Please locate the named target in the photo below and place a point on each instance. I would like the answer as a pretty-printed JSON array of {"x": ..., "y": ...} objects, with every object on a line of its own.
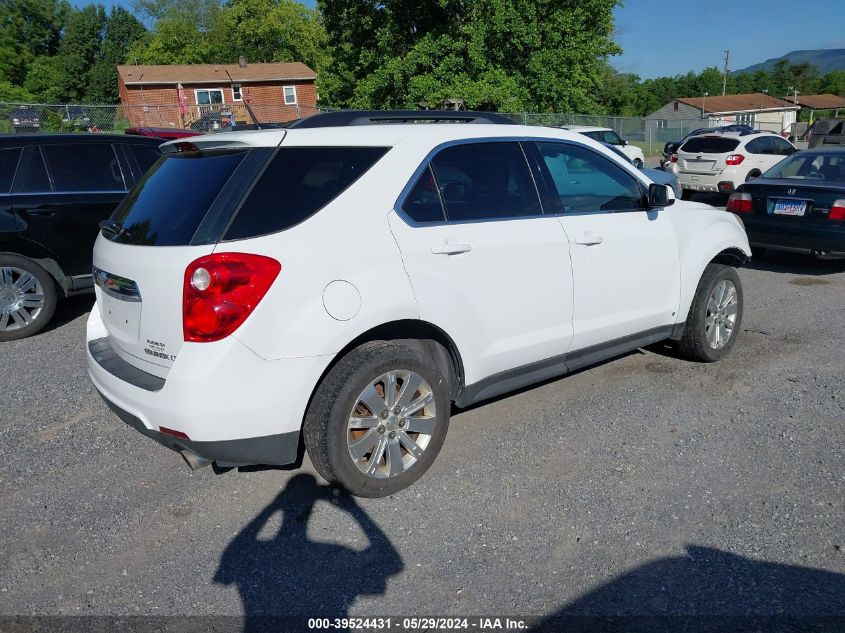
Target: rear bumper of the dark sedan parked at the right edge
[{"x": 796, "y": 236}]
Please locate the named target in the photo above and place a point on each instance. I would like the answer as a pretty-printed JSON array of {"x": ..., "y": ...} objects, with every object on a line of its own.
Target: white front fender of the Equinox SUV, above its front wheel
[{"x": 703, "y": 232}]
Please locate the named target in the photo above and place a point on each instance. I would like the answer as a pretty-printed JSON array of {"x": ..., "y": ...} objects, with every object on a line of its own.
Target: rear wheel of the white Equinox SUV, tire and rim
[{"x": 378, "y": 419}]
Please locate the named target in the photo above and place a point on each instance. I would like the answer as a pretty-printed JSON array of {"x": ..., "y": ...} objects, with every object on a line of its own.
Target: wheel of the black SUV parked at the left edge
[{"x": 28, "y": 297}]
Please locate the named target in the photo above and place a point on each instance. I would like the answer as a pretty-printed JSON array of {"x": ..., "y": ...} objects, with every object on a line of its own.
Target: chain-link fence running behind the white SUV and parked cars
[{"x": 648, "y": 134}]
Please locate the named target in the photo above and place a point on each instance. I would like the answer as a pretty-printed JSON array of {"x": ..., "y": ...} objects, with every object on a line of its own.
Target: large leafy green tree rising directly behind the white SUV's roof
[{"x": 538, "y": 55}]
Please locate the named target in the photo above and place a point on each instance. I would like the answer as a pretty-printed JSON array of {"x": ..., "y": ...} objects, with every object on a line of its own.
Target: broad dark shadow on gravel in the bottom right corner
[{"x": 708, "y": 590}]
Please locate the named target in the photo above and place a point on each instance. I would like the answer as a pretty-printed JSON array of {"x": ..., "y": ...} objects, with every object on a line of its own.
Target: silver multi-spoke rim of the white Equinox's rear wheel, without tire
[{"x": 391, "y": 424}]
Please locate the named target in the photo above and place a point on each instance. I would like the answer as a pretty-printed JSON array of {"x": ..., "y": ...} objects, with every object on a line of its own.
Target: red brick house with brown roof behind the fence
[{"x": 150, "y": 95}]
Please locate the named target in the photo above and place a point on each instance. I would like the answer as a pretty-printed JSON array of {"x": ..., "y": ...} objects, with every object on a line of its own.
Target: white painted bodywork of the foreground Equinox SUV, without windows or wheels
[{"x": 508, "y": 302}]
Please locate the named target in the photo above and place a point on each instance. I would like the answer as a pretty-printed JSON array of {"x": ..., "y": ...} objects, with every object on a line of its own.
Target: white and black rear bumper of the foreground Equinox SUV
[{"x": 233, "y": 406}]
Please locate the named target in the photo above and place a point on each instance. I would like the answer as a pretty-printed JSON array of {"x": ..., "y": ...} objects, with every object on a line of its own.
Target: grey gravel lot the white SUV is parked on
[{"x": 645, "y": 485}]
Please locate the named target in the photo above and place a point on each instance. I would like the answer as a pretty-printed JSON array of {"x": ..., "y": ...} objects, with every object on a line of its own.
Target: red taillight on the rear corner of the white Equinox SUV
[{"x": 220, "y": 292}]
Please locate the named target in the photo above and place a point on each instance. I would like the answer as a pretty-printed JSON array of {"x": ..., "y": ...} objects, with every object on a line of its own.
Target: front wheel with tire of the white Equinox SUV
[{"x": 715, "y": 315}]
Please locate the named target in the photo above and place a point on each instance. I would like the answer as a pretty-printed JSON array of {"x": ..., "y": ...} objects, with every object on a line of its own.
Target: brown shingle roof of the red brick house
[{"x": 214, "y": 73}]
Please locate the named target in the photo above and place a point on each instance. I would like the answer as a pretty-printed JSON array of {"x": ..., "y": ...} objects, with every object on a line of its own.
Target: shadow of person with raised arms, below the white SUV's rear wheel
[{"x": 288, "y": 574}]
